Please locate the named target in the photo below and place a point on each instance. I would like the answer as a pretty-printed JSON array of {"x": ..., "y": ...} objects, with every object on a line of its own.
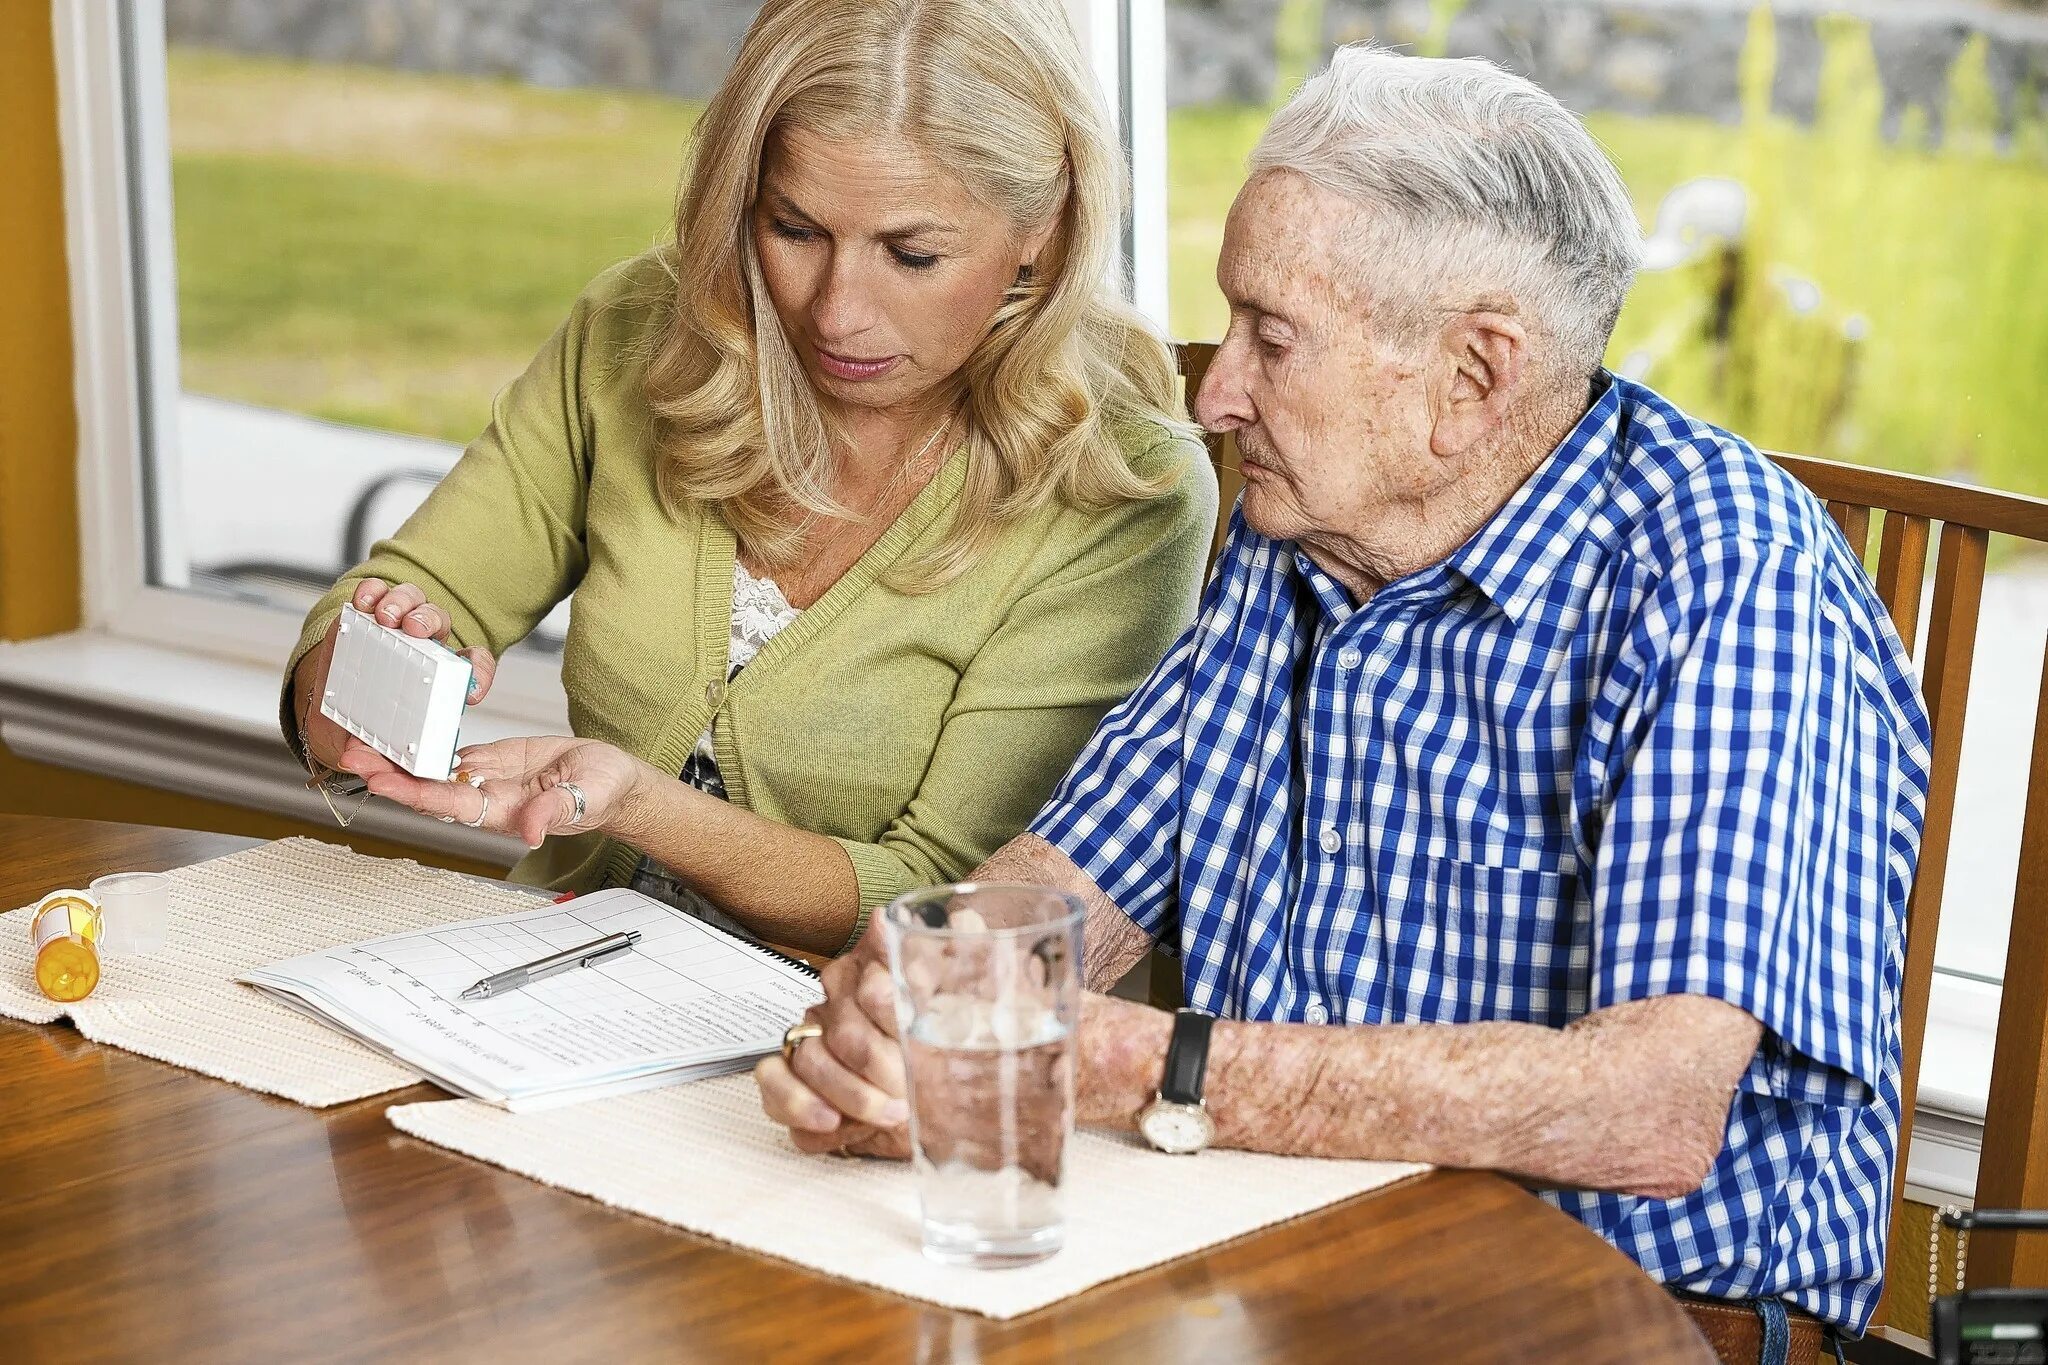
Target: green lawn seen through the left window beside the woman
[{"x": 390, "y": 249}]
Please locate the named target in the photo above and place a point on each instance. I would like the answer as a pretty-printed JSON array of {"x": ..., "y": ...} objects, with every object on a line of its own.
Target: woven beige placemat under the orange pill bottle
[{"x": 247, "y": 910}]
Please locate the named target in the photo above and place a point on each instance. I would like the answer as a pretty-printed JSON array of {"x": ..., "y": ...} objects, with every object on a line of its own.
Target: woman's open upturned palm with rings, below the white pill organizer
[{"x": 525, "y": 783}]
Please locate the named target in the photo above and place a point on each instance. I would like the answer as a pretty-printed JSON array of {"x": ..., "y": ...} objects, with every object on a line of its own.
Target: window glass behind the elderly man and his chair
[{"x": 1844, "y": 222}]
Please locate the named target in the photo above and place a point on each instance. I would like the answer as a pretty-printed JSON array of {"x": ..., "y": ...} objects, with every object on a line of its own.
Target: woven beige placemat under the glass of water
[{"x": 708, "y": 1159}]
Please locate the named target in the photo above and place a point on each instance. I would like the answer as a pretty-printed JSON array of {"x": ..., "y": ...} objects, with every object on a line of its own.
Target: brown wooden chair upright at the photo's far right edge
[{"x": 2012, "y": 1174}]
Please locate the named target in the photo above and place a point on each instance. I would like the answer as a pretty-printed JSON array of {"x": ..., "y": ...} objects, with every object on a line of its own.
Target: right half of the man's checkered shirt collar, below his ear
[{"x": 1519, "y": 552}]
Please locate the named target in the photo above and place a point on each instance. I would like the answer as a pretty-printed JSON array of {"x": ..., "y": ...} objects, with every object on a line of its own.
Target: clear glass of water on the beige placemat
[{"x": 988, "y": 994}]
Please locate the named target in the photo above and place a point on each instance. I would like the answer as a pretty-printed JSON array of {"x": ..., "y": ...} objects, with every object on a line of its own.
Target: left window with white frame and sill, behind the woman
[{"x": 308, "y": 245}]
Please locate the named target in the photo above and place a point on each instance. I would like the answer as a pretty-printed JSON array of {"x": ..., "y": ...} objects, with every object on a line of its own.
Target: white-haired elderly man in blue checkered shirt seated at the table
[{"x": 1539, "y": 748}]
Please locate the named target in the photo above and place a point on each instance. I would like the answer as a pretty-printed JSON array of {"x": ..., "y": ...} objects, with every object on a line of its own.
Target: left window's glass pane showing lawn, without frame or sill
[{"x": 376, "y": 220}]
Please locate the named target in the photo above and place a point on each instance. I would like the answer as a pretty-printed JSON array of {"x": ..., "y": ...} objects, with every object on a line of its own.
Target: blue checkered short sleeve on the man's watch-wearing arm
[{"x": 1750, "y": 803}]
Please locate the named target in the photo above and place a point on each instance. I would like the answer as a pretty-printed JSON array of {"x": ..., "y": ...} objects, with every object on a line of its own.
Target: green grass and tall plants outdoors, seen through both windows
[{"x": 390, "y": 249}]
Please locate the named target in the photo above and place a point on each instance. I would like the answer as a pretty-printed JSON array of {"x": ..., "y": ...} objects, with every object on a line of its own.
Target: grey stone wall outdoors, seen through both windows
[{"x": 1631, "y": 56}]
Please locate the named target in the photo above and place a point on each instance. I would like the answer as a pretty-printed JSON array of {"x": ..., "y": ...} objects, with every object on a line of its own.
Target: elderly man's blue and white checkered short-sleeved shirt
[{"x": 1646, "y": 734}]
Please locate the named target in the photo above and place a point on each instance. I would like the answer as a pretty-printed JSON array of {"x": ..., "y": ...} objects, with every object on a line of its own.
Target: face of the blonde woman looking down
[{"x": 882, "y": 267}]
